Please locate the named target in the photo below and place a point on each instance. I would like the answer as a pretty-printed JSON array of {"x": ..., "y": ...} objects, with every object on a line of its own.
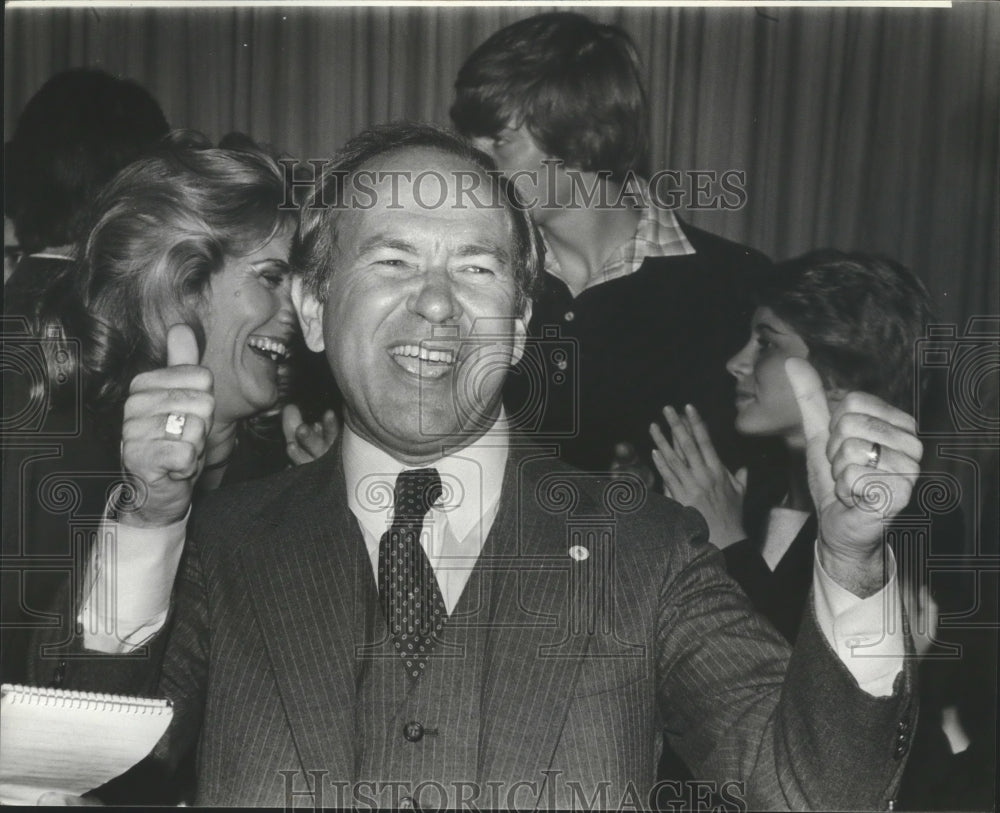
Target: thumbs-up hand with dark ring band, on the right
[{"x": 862, "y": 463}]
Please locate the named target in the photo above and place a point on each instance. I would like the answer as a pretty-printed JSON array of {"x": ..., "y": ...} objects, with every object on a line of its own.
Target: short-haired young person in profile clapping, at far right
[{"x": 857, "y": 320}]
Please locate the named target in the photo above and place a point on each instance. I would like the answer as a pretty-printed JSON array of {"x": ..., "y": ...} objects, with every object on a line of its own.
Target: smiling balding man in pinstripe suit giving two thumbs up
[{"x": 433, "y": 614}]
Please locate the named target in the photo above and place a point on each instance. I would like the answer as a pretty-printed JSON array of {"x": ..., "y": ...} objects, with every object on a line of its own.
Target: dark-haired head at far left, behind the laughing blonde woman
[{"x": 73, "y": 136}]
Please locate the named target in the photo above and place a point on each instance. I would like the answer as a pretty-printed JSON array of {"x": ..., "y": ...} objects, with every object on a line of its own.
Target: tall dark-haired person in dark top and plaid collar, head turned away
[{"x": 632, "y": 301}]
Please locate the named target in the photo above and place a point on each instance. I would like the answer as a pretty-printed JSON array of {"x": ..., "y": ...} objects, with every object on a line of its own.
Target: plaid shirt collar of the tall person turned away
[{"x": 658, "y": 234}]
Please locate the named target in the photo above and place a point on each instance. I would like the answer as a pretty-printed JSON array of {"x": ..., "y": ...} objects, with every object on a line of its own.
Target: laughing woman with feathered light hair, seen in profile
[{"x": 186, "y": 262}]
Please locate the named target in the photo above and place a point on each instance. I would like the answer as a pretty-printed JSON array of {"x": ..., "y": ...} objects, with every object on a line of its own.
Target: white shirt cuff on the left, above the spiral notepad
[{"x": 128, "y": 582}]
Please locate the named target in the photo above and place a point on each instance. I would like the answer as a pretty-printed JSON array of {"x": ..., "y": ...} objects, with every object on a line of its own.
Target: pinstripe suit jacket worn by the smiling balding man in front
[{"x": 589, "y": 655}]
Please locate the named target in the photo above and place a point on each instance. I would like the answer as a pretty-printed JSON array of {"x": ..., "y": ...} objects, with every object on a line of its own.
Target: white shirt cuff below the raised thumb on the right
[{"x": 866, "y": 633}]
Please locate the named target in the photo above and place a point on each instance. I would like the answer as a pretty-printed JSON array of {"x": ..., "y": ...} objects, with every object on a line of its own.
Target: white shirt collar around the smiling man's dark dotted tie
[{"x": 471, "y": 478}]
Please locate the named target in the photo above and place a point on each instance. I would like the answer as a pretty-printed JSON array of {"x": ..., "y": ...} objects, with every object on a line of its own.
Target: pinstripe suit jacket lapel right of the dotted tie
[{"x": 534, "y": 651}]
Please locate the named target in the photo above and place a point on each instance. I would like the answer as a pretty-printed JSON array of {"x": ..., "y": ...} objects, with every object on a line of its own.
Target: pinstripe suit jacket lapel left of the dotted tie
[{"x": 305, "y": 574}]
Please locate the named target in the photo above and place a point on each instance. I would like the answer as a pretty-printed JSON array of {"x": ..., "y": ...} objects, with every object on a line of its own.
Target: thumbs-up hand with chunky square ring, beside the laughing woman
[{"x": 168, "y": 416}]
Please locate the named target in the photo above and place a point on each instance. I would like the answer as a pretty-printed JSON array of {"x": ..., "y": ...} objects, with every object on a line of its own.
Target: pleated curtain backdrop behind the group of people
[{"x": 874, "y": 129}]
